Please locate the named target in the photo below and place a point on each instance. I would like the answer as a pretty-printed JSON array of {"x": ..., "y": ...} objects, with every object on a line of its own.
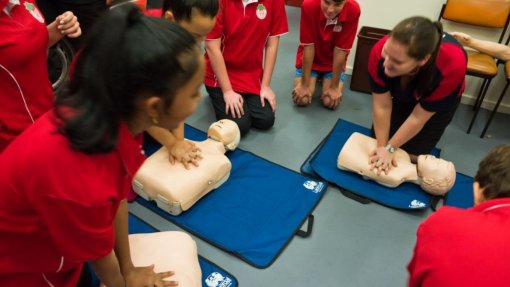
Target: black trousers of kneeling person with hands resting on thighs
[{"x": 254, "y": 114}]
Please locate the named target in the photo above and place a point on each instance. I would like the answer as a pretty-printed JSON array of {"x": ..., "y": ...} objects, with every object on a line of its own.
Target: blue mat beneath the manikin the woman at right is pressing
[{"x": 322, "y": 162}]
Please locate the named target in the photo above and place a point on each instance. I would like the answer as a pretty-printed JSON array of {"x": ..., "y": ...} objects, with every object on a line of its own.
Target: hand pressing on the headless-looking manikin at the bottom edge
[{"x": 146, "y": 277}]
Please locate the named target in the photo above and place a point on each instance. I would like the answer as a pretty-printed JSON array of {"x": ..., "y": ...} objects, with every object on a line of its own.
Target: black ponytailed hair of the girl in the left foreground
[{"x": 125, "y": 58}]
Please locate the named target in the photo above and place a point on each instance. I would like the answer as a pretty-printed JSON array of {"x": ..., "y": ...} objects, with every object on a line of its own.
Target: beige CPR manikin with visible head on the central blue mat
[{"x": 176, "y": 189}]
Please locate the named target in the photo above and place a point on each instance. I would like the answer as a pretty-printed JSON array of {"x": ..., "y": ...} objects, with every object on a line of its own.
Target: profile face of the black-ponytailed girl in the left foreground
[{"x": 185, "y": 102}]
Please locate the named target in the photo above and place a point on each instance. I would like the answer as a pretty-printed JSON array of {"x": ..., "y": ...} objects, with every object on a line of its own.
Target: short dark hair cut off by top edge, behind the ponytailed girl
[{"x": 182, "y": 9}]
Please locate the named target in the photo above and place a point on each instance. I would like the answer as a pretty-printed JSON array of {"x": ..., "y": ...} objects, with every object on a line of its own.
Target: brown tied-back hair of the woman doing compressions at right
[{"x": 422, "y": 37}]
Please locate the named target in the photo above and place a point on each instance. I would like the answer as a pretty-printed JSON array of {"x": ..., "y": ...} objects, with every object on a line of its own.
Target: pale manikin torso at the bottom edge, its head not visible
[{"x": 171, "y": 250}]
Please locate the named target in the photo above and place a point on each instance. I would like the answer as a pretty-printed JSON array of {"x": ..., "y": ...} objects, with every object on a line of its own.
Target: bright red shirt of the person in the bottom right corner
[{"x": 457, "y": 247}]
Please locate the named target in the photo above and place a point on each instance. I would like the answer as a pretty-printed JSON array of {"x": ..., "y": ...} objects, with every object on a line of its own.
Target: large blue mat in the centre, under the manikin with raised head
[{"x": 253, "y": 215}]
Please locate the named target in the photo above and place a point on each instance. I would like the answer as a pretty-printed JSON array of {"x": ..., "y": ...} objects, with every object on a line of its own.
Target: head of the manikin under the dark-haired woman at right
[{"x": 437, "y": 175}]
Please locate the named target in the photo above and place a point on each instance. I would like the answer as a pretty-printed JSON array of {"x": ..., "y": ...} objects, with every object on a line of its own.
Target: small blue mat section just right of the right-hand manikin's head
[{"x": 461, "y": 195}]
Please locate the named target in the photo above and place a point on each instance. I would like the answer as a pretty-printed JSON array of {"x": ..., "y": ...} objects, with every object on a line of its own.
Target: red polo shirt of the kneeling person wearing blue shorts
[{"x": 326, "y": 35}]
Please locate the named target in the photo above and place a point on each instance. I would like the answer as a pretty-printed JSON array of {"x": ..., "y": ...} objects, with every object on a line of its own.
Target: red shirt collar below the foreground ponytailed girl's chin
[{"x": 130, "y": 150}]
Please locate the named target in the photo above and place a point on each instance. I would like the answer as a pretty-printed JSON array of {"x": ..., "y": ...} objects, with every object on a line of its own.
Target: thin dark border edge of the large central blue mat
[{"x": 151, "y": 206}]
